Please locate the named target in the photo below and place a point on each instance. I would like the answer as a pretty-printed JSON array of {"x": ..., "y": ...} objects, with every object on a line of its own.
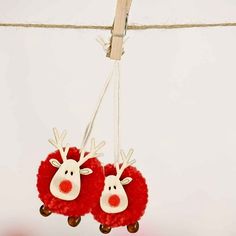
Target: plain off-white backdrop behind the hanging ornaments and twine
[{"x": 178, "y": 110}]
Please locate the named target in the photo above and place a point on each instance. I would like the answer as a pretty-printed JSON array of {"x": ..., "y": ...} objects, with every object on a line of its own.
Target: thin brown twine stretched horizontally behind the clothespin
[{"x": 130, "y": 27}]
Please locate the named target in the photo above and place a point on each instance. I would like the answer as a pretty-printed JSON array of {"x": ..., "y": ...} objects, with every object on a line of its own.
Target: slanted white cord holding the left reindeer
[{"x": 91, "y": 123}]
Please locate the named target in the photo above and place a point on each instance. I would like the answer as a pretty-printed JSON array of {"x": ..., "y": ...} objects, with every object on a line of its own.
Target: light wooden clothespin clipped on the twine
[{"x": 119, "y": 29}]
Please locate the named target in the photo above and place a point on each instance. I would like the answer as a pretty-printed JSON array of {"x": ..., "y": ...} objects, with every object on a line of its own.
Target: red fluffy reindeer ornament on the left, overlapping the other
[{"x": 70, "y": 181}]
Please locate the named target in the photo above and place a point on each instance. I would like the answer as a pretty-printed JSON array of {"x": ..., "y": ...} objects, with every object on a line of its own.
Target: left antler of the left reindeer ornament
[{"x": 58, "y": 143}]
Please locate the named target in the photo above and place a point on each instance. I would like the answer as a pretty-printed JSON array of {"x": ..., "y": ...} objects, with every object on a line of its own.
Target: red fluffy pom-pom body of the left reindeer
[{"x": 91, "y": 186}]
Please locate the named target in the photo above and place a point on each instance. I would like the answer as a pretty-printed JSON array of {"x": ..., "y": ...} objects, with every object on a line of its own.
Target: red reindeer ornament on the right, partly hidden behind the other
[{"x": 124, "y": 196}]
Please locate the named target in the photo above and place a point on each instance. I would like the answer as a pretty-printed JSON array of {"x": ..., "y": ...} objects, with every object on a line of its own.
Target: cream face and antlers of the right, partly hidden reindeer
[{"x": 114, "y": 198}]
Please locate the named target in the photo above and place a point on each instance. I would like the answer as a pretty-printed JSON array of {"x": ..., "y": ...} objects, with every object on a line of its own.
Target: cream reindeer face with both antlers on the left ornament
[{"x": 65, "y": 184}]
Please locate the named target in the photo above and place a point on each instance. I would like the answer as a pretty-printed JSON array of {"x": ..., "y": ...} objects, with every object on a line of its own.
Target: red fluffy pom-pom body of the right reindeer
[{"x": 137, "y": 193}]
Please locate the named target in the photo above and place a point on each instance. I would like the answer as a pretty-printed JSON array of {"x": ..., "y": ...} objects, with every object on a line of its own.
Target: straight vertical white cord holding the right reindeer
[{"x": 117, "y": 114}]
